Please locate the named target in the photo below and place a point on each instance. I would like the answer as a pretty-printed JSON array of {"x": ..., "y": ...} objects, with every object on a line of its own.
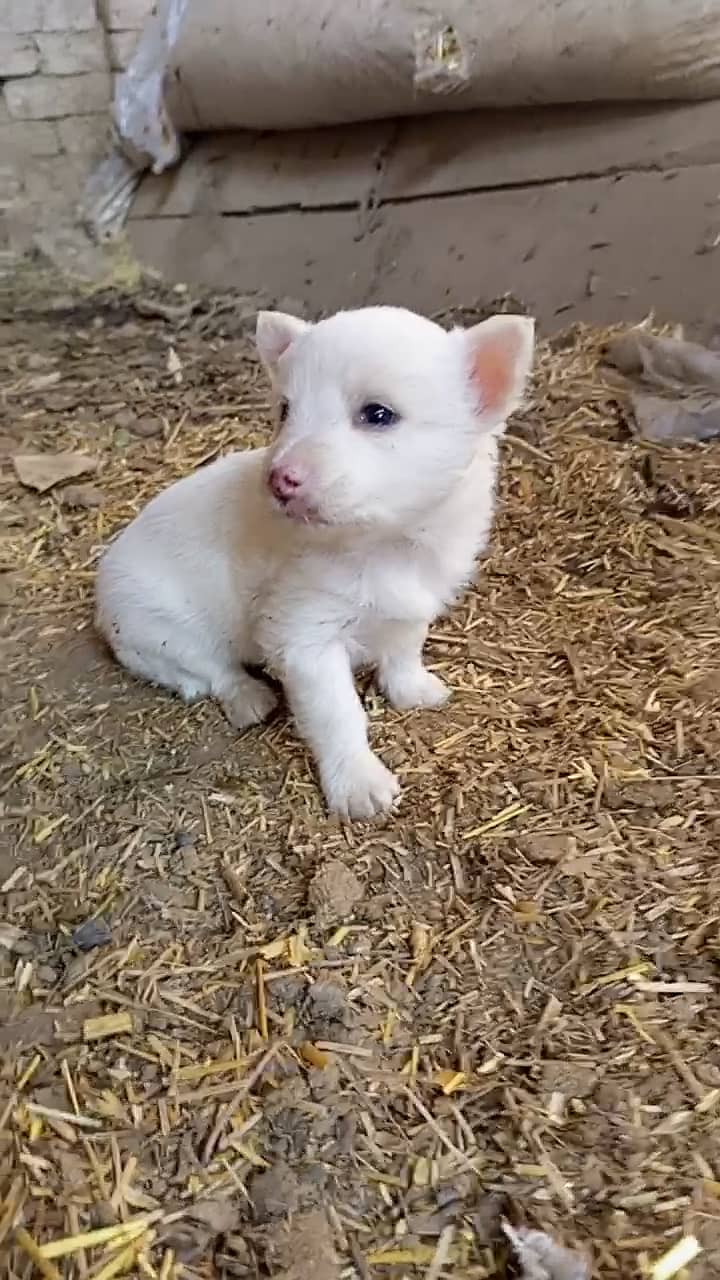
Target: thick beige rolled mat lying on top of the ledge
[{"x": 284, "y": 65}]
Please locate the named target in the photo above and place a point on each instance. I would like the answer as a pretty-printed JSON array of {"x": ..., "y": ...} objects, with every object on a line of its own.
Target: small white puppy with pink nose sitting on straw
[{"x": 334, "y": 548}]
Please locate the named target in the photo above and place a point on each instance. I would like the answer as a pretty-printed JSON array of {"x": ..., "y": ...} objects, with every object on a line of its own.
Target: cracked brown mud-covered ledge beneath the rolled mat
[{"x": 598, "y": 214}]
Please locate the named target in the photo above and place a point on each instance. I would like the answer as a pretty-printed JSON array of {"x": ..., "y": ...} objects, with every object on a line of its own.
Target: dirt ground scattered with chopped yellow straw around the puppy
[{"x": 350, "y": 1052}]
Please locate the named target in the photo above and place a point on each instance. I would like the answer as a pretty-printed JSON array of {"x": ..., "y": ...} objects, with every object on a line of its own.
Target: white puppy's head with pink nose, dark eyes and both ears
[{"x": 381, "y": 410}]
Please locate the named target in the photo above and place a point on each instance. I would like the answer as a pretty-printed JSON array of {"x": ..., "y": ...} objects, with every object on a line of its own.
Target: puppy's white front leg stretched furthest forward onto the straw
[{"x": 330, "y": 717}]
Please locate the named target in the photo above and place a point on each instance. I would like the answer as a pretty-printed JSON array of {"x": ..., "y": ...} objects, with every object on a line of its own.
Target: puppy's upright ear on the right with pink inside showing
[{"x": 499, "y": 360}]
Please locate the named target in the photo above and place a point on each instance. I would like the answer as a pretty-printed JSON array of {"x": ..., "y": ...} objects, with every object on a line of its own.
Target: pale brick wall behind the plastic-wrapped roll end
[{"x": 58, "y": 61}]
